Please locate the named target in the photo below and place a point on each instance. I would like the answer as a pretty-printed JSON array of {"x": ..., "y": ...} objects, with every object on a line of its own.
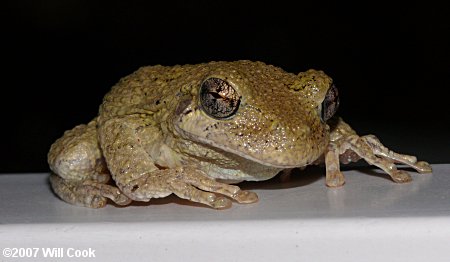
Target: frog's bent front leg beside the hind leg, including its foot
[{"x": 141, "y": 179}]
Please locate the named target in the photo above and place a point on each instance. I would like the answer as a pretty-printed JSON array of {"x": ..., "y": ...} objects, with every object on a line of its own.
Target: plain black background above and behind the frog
[{"x": 390, "y": 61}]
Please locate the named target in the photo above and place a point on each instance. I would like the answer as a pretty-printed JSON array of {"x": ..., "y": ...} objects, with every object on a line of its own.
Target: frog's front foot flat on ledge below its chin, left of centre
[{"x": 187, "y": 183}]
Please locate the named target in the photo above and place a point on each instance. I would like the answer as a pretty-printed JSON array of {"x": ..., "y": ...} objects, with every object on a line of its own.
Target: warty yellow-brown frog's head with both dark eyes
[{"x": 259, "y": 112}]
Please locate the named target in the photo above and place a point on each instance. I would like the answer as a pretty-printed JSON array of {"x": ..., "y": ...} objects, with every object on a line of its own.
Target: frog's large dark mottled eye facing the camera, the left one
[{"x": 218, "y": 98}]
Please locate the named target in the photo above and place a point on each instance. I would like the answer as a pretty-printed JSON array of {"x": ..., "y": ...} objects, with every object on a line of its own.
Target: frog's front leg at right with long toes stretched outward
[{"x": 346, "y": 146}]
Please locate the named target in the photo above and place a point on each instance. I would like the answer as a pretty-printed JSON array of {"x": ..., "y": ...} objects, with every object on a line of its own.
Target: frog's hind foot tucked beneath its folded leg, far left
[{"x": 88, "y": 193}]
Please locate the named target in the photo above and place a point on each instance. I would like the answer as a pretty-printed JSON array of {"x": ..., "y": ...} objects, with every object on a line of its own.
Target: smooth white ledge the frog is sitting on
[{"x": 369, "y": 219}]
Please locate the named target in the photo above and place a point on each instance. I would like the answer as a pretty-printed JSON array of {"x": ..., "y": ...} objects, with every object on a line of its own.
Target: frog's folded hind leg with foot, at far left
[{"x": 80, "y": 172}]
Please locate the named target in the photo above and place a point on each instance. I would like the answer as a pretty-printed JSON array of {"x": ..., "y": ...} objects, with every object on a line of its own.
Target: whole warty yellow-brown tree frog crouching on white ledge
[{"x": 197, "y": 130}]
